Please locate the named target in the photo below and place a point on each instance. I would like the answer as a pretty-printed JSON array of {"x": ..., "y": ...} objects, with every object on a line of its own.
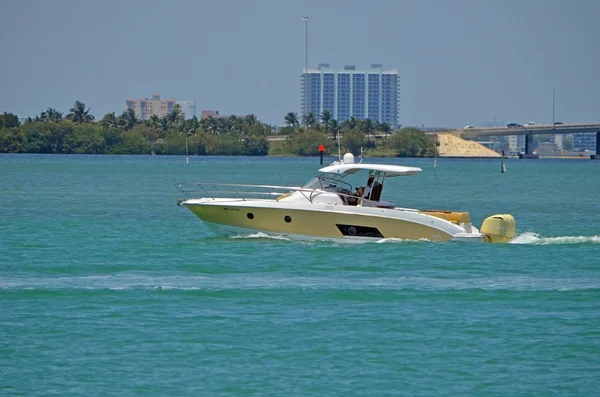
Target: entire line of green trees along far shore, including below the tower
[{"x": 79, "y": 132}]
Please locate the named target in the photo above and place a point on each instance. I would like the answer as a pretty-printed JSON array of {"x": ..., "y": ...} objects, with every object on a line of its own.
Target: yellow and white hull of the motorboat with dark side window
[{"x": 323, "y": 222}]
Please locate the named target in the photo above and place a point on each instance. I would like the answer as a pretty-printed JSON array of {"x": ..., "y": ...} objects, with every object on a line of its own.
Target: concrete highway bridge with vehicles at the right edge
[{"x": 535, "y": 129}]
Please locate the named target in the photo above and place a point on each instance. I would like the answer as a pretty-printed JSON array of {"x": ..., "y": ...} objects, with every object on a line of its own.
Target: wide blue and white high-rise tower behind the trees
[{"x": 370, "y": 93}]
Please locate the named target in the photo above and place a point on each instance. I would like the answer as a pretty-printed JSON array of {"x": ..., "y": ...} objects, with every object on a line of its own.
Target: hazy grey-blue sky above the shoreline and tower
[{"x": 461, "y": 62}]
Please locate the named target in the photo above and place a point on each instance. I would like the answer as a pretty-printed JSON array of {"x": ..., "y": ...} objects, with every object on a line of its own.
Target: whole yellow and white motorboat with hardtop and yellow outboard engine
[{"x": 330, "y": 208}]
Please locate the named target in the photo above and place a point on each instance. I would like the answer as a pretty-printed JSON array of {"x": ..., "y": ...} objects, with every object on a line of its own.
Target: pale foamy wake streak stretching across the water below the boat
[{"x": 335, "y": 282}]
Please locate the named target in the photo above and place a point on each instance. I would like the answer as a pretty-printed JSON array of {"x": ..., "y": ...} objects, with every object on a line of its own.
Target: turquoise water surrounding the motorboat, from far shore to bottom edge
[{"x": 108, "y": 288}]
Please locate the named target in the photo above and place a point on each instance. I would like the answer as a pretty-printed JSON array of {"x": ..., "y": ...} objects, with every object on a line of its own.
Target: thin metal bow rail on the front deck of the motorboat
[{"x": 214, "y": 191}]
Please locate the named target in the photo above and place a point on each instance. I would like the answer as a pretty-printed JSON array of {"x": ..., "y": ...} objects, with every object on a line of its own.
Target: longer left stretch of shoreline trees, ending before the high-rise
[{"x": 79, "y": 133}]
